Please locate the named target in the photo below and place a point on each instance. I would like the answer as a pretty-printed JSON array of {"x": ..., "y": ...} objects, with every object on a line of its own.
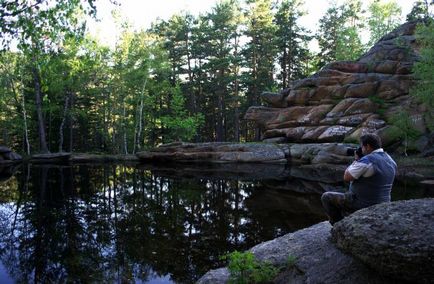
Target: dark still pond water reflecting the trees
[{"x": 118, "y": 223}]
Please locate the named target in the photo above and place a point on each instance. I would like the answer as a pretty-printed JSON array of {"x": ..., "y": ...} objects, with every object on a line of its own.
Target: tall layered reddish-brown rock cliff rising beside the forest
[{"x": 346, "y": 99}]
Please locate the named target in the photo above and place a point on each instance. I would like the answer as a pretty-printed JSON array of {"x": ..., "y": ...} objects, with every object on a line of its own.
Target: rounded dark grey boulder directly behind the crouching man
[{"x": 395, "y": 239}]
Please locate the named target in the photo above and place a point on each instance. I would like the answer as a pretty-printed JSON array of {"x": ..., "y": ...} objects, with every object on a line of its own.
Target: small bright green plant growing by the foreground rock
[{"x": 244, "y": 268}]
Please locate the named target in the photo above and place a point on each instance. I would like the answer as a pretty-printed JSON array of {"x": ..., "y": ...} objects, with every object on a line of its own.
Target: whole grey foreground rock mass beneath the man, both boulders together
[{"x": 384, "y": 243}]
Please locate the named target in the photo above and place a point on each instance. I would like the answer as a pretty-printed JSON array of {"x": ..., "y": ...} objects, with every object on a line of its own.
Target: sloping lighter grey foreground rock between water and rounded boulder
[{"x": 317, "y": 260}]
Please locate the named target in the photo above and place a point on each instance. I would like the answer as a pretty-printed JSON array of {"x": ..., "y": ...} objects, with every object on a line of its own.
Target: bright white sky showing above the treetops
[{"x": 141, "y": 13}]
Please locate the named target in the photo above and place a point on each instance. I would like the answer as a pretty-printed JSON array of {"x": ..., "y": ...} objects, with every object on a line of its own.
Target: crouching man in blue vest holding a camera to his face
[{"x": 371, "y": 178}]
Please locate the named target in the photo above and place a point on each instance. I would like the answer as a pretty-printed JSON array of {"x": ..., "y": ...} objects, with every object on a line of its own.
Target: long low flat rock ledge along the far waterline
[{"x": 226, "y": 152}]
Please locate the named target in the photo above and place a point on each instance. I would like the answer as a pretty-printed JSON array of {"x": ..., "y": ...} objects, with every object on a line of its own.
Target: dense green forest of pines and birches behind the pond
[{"x": 189, "y": 78}]
